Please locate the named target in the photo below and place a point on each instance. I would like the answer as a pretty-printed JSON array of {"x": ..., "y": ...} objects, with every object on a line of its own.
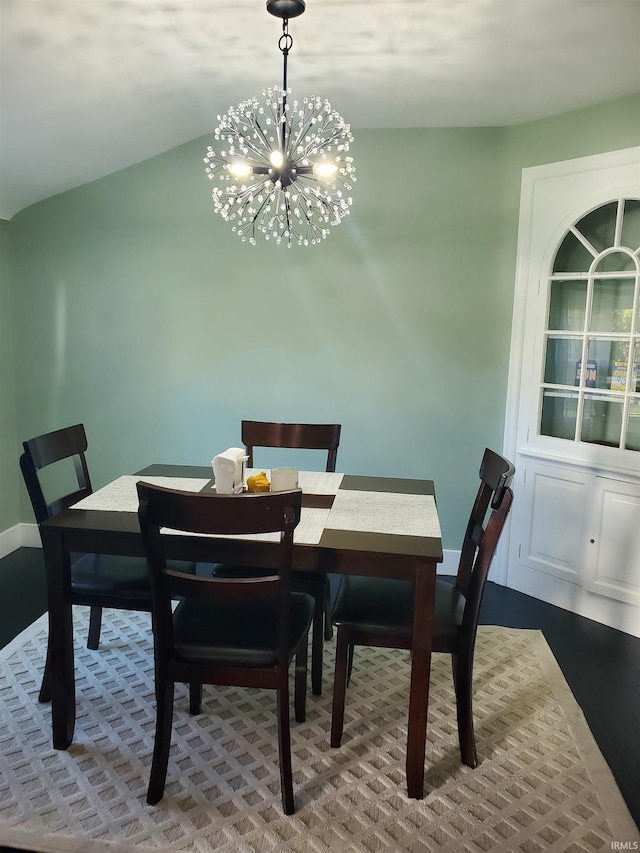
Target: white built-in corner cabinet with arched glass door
[{"x": 573, "y": 421}]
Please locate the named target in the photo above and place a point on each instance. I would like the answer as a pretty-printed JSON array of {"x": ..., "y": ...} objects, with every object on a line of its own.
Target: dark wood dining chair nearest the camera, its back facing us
[{"x": 242, "y": 631}]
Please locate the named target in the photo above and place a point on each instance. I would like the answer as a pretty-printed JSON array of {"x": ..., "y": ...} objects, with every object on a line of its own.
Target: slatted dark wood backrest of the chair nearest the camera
[{"x": 221, "y": 515}]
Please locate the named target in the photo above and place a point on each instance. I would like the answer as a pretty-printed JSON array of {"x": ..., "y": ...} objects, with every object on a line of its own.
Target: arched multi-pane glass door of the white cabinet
[{"x": 591, "y": 383}]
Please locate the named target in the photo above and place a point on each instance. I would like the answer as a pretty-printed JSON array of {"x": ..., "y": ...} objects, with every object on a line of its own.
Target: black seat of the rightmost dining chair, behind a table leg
[{"x": 384, "y": 605}]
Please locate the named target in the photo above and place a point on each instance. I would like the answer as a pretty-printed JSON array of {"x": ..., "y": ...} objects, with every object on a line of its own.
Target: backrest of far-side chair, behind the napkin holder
[{"x": 301, "y": 436}]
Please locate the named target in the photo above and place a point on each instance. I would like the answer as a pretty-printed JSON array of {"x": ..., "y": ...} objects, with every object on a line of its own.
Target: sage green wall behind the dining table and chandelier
[{"x": 138, "y": 312}]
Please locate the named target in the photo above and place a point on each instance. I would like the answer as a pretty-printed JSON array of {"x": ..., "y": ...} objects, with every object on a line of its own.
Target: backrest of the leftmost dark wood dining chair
[{"x": 45, "y": 450}]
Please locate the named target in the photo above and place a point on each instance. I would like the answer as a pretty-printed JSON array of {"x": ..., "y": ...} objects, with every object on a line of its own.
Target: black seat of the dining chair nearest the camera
[{"x": 236, "y": 634}]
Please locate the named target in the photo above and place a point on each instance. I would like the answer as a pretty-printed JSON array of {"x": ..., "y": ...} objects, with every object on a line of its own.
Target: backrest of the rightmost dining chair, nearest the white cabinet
[{"x": 495, "y": 475}]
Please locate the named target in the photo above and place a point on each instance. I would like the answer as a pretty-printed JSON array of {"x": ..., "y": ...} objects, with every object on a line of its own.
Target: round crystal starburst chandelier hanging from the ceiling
[{"x": 281, "y": 169}]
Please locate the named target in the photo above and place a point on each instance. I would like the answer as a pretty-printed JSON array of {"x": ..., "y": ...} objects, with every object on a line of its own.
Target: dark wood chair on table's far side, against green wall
[{"x": 303, "y": 437}]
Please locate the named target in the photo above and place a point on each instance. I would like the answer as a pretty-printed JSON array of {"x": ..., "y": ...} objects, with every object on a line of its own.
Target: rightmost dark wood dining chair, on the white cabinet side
[{"x": 379, "y": 611}]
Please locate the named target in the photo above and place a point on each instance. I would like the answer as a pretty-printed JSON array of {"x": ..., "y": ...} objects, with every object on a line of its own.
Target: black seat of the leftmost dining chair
[{"x": 111, "y": 576}]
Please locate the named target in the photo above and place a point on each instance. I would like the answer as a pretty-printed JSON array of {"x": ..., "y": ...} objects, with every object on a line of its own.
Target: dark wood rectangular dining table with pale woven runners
[{"x": 373, "y": 552}]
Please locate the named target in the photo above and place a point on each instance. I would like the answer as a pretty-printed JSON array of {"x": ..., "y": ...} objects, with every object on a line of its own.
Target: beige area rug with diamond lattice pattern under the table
[{"x": 541, "y": 784}]
